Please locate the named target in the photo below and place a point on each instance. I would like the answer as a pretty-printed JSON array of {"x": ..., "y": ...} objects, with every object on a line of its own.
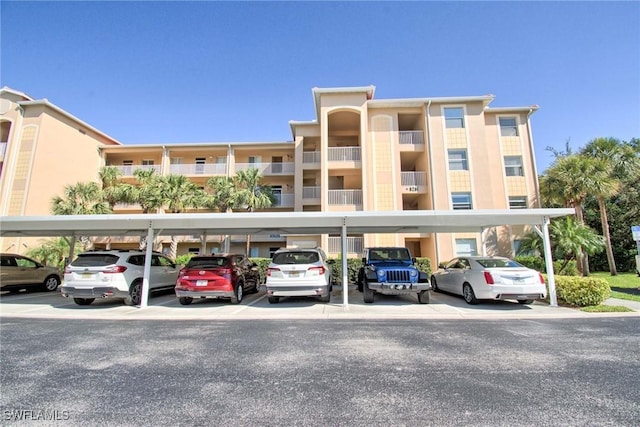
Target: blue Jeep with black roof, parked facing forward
[{"x": 391, "y": 271}]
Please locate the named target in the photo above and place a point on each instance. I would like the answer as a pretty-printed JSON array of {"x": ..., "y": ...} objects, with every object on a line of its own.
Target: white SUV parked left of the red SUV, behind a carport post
[{"x": 115, "y": 274}]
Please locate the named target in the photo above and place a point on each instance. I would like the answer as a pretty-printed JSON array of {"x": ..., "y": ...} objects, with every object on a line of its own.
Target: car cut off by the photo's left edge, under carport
[{"x": 19, "y": 272}]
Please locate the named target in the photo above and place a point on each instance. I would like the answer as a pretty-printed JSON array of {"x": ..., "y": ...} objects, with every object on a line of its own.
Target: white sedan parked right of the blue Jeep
[{"x": 494, "y": 278}]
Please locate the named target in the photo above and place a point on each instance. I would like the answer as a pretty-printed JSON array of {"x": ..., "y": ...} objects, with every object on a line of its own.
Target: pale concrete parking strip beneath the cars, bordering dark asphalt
[{"x": 166, "y": 306}]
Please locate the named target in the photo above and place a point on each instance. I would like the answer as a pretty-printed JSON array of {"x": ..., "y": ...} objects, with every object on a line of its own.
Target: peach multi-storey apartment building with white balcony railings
[{"x": 357, "y": 154}]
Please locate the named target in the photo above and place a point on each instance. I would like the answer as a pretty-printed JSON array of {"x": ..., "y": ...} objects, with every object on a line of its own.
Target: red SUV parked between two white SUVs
[{"x": 217, "y": 276}]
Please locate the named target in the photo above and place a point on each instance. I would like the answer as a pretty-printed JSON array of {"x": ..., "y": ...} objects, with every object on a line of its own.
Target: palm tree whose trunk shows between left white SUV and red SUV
[{"x": 178, "y": 193}]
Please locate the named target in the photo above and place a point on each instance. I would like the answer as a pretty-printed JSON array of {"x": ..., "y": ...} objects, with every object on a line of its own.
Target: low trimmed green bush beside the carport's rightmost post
[{"x": 580, "y": 291}]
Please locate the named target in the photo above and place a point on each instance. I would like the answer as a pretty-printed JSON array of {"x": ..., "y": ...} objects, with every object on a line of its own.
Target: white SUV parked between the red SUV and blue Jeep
[{"x": 299, "y": 272}]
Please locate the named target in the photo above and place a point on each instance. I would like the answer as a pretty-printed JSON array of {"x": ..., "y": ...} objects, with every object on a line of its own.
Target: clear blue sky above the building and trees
[{"x": 205, "y": 71}]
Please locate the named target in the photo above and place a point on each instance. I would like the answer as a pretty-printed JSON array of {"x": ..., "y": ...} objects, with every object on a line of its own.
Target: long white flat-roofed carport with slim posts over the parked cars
[{"x": 360, "y": 222}]
